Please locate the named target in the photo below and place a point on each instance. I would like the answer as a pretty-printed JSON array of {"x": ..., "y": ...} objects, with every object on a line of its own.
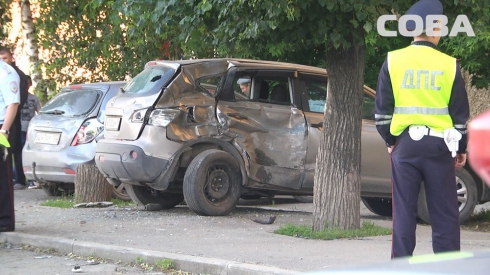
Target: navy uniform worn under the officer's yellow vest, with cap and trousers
[{"x": 427, "y": 160}]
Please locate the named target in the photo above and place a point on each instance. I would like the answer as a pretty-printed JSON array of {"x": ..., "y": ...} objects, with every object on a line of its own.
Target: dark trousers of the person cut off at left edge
[{"x": 7, "y": 217}]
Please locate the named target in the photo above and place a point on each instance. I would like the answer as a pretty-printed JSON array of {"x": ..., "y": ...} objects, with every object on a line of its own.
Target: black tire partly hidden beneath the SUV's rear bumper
[{"x": 142, "y": 195}]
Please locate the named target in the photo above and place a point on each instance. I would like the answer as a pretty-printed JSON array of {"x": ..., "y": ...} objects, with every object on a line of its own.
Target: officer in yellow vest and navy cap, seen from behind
[{"x": 421, "y": 113}]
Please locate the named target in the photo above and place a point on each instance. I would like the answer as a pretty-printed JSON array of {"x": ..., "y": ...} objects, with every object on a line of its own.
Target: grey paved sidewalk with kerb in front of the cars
[{"x": 206, "y": 245}]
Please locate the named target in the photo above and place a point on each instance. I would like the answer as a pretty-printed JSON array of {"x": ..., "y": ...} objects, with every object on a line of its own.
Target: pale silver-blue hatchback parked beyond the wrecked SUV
[{"x": 64, "y": 134}]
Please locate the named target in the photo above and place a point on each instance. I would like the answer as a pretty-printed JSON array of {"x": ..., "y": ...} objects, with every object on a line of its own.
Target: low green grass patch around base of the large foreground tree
[{"x": 368, "y": 229}]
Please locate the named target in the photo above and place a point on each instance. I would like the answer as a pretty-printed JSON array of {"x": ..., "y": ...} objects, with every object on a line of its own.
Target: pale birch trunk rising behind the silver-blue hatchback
[{"x": 30, "y": 43}]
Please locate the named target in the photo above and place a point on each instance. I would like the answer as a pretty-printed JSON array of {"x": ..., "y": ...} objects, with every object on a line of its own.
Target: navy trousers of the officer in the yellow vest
[{"x": 430, "y": 161}]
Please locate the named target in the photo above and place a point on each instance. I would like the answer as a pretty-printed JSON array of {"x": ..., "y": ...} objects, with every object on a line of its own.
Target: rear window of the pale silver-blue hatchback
[{"x": 72, "y": 102}]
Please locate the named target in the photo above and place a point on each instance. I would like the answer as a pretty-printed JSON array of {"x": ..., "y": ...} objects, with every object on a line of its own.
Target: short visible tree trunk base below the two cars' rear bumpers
[{"x": 90, "y": 185}]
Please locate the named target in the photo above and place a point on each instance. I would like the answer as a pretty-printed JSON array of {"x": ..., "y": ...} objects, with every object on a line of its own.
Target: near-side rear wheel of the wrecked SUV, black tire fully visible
[{"x": 212, "y": 183}]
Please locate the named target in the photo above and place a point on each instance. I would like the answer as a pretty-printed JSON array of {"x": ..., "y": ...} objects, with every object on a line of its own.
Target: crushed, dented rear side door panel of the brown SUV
[{"x": 274, "y": 138}]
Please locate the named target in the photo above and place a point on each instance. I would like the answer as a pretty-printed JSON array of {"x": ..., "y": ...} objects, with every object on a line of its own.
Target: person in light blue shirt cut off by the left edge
[{"x": 9, "y": 102}]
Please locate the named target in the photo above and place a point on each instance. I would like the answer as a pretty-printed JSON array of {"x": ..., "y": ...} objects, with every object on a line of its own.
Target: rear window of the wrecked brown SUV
[{"x": 149, "y": 80}]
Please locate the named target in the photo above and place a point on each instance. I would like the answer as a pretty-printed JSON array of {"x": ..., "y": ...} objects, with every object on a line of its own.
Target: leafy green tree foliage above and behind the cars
[{"x": 112, "y": 40}]
